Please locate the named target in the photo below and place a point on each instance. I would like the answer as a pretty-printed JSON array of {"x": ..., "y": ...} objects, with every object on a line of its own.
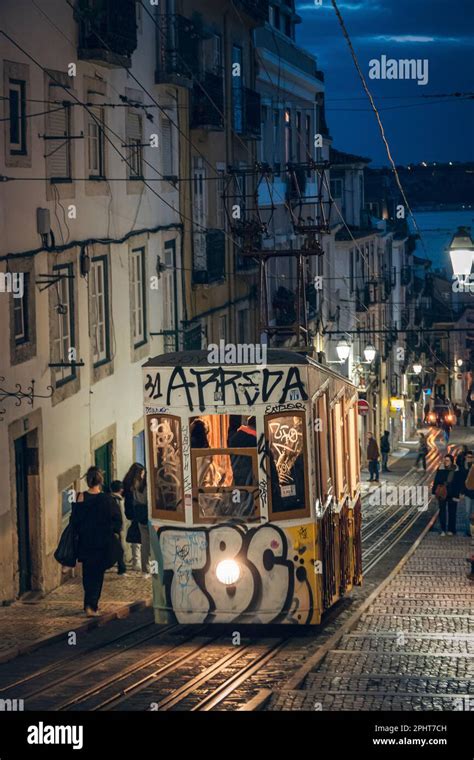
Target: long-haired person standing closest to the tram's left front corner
[{"x": 136, "y": 510}]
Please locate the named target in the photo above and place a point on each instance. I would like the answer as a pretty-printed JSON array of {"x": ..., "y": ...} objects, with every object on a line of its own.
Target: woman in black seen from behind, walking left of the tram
[{"x": 94, "y": 520}]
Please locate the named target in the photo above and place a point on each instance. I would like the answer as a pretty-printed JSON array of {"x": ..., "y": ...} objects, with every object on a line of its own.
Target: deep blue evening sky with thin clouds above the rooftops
[{"x": 424, "y": 129}]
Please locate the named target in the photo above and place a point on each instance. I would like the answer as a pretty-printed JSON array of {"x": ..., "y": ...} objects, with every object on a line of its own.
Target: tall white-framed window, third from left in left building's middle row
[{"x": 99, "y": 309}]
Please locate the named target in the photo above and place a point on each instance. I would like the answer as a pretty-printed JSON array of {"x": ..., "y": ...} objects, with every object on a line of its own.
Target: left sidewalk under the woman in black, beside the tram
[{"x": 29, "y": 624}]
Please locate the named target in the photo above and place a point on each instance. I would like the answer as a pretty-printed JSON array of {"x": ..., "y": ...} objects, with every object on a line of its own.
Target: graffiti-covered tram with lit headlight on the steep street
[{"x": 253, "y": 482}]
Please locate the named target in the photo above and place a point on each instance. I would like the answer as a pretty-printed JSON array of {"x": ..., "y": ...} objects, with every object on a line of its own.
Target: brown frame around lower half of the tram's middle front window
[{"x": 251, "y": 452}]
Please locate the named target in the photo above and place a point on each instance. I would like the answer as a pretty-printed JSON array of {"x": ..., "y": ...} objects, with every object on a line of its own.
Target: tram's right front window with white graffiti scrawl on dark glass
[{"x": 286, "y": 448}]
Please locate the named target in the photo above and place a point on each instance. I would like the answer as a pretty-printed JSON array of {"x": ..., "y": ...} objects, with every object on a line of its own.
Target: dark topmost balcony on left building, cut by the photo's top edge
[{"x": 107, "y": 32}]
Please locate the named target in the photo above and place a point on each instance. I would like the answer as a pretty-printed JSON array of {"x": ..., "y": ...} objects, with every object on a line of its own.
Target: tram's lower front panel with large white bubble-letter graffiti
[{"x": 276, "y": 583}]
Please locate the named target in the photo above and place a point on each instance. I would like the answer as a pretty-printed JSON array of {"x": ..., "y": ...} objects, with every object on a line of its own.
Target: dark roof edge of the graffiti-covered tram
[{"x": 275, "y": 356}]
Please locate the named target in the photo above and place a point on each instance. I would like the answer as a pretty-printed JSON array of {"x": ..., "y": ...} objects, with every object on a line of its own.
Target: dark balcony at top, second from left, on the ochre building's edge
[{"x": 178, "y": 44}]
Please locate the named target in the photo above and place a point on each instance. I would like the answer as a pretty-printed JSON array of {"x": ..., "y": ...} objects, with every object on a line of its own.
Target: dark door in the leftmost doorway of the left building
[{"x": 23, "y": 516}]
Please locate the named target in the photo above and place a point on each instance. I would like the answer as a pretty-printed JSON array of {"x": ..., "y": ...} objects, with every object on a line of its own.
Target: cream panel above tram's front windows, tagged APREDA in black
[{"x": 207, "y": 387}]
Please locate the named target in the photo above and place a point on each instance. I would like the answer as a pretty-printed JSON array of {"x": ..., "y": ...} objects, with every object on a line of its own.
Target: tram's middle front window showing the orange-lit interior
[{"x": 224, "y": 467}]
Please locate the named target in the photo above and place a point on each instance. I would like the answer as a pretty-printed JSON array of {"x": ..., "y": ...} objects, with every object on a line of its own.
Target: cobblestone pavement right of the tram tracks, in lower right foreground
[{"x": 413, "y": 649}]
